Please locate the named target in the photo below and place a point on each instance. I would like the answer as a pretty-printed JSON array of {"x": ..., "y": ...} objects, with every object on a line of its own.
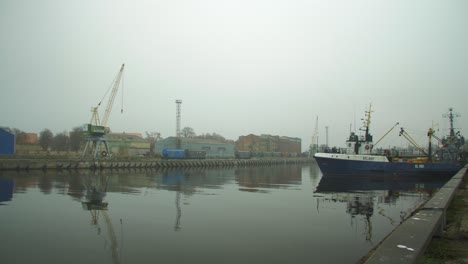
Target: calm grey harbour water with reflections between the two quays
[{"x": 279, "y": 214}]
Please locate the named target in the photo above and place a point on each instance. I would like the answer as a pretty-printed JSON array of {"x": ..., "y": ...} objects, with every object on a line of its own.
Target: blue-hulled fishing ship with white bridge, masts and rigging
[{"x": 358, "y": 158}]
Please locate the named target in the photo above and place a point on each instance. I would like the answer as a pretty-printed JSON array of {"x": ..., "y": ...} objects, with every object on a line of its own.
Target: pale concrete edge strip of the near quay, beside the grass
[{"x": 407, "y": 243}]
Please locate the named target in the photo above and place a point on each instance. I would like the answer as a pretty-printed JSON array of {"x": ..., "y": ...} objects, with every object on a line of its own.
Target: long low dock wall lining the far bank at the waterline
[{"x": 33, "y": 164}]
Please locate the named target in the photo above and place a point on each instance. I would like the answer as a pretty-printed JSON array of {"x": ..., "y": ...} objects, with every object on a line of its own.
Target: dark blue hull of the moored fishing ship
[{"x": 331, "y": 166}]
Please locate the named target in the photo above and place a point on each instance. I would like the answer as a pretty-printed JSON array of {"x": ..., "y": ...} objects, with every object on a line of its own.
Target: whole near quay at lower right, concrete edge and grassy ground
[{"x": 436, "y": 232}]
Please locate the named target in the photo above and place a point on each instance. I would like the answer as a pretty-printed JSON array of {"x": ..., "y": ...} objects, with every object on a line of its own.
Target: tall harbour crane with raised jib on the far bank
[{"x": 97, "y": 129}]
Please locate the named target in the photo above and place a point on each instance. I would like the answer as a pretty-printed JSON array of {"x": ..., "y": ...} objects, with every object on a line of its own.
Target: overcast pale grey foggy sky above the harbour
[{"x": 240, "y": 67}]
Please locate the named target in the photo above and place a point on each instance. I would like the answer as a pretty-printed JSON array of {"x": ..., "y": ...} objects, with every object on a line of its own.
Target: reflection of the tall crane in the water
[{"x": 96, "y": 189}]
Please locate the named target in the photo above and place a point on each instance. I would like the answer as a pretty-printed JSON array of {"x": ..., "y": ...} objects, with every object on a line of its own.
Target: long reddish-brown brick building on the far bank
[{"x": 269, "y": 143}]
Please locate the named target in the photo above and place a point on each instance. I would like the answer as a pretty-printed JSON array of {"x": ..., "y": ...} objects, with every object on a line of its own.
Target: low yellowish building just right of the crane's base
[{"x": 127, "y": 144}]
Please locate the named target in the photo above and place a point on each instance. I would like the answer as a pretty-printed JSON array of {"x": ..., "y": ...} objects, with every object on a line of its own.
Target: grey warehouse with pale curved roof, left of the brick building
[{"x": 213, "y": 148}]
